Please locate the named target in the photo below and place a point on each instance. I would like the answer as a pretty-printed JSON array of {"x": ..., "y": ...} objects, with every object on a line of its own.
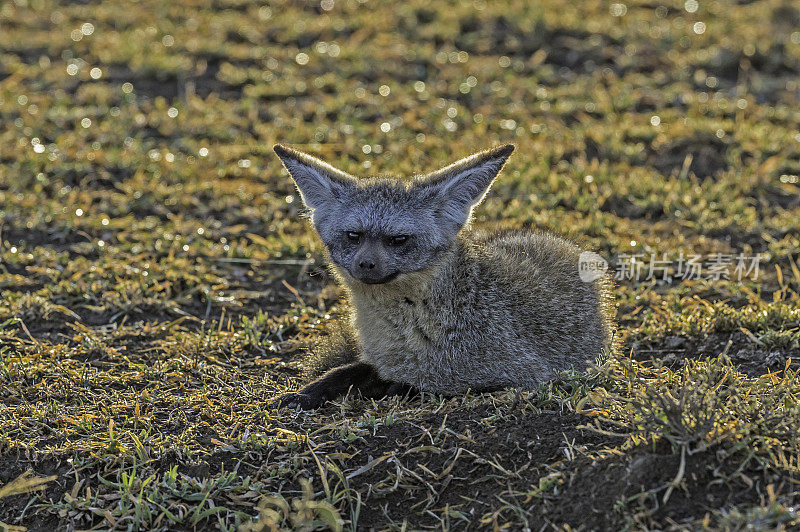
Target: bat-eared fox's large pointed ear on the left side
[{"x": 318, "y": 182}]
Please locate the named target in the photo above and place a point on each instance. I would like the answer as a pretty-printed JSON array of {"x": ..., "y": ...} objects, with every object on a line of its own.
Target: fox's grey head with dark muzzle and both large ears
[{"x": 376, "y": 229}]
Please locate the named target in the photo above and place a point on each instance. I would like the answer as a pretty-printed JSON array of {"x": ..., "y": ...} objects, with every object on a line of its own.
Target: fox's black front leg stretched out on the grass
[{"x": 360, "y": 376}]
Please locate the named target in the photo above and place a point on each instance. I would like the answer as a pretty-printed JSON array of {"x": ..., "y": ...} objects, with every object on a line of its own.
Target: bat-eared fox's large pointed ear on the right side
[{"x": 463, "y": 184}]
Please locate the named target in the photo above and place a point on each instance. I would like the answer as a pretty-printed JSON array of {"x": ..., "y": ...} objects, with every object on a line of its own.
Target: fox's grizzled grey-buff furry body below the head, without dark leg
[{"x": 500, "y": 310}]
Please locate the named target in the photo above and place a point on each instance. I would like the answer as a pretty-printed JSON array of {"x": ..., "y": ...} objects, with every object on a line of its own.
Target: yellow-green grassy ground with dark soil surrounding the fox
[{"x": 159, "y": 284}]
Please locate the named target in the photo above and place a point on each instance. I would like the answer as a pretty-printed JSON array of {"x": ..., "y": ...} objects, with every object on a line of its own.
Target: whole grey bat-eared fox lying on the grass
[{"x": 436, "y": 306}]
